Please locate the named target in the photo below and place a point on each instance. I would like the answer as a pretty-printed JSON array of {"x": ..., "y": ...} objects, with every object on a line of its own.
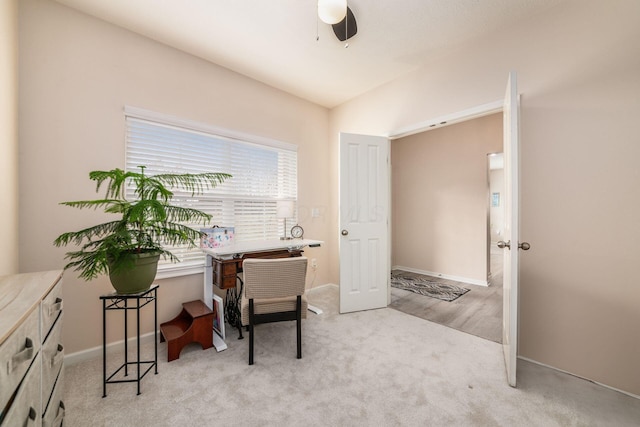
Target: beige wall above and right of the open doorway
[{"x": 579, "y": 76}]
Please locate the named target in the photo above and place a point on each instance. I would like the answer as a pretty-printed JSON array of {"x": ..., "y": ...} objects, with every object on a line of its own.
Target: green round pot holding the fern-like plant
[{"x": 134, "y": 273}]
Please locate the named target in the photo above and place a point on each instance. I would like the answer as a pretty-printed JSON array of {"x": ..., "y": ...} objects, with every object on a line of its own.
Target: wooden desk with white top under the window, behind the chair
[{"x": 222, "y": 266}]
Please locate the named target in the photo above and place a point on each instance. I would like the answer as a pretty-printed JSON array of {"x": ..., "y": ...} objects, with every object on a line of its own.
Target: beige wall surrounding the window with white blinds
[{"x": 77, "y": 74}]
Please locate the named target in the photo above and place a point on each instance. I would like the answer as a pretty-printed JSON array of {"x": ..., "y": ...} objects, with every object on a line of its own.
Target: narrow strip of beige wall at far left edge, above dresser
[{"x": 8, "y": 136}]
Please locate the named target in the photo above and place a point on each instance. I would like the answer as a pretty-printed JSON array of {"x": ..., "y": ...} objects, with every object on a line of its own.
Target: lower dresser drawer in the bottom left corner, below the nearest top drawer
[{"x": 25, "y": 409}]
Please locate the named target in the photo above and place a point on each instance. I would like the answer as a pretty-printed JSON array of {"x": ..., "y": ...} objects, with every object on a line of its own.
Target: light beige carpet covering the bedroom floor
[{"x": 373, "y": 368}]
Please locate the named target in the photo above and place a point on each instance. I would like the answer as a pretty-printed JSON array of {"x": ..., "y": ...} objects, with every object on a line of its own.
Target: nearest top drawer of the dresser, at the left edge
[{"x": 16, "y": 354}]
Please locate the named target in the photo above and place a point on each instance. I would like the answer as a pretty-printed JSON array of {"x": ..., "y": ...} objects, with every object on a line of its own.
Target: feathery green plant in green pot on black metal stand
[{"x": 129, "y": 247}]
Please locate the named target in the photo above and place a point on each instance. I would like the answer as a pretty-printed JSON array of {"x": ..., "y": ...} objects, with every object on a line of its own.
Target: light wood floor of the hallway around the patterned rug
[{"x": 478, "y": 312}]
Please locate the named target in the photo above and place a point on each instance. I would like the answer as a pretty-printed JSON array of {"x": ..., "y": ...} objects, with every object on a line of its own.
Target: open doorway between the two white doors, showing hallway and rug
[{"x": 442, "y": 225}]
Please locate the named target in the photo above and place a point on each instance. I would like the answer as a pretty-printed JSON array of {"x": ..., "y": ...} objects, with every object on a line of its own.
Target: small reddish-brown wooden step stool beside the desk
[{"x": 193, "y": 324}]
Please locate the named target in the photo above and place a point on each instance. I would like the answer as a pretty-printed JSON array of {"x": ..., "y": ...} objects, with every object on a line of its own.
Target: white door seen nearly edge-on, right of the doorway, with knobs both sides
[{"x": 510, "y": 243}]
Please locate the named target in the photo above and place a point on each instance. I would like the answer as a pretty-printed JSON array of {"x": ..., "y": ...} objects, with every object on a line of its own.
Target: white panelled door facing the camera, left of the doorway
[{"x": 364, "y": 225}]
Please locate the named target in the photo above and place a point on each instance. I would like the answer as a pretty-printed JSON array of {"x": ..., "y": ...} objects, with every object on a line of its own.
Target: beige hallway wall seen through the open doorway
[{"x": 439, "y": 198}]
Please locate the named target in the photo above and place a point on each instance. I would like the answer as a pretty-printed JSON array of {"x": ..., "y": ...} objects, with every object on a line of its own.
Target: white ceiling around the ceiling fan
[{"x": 274, "y": 41}]
